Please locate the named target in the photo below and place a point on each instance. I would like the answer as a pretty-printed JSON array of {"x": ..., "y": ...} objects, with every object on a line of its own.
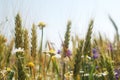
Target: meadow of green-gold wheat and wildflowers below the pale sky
[{"x": 92, "y": 58}]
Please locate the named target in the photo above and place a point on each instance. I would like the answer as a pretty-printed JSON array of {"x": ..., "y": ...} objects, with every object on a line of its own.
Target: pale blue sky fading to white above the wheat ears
[{"x": 56, "y": 13}]
